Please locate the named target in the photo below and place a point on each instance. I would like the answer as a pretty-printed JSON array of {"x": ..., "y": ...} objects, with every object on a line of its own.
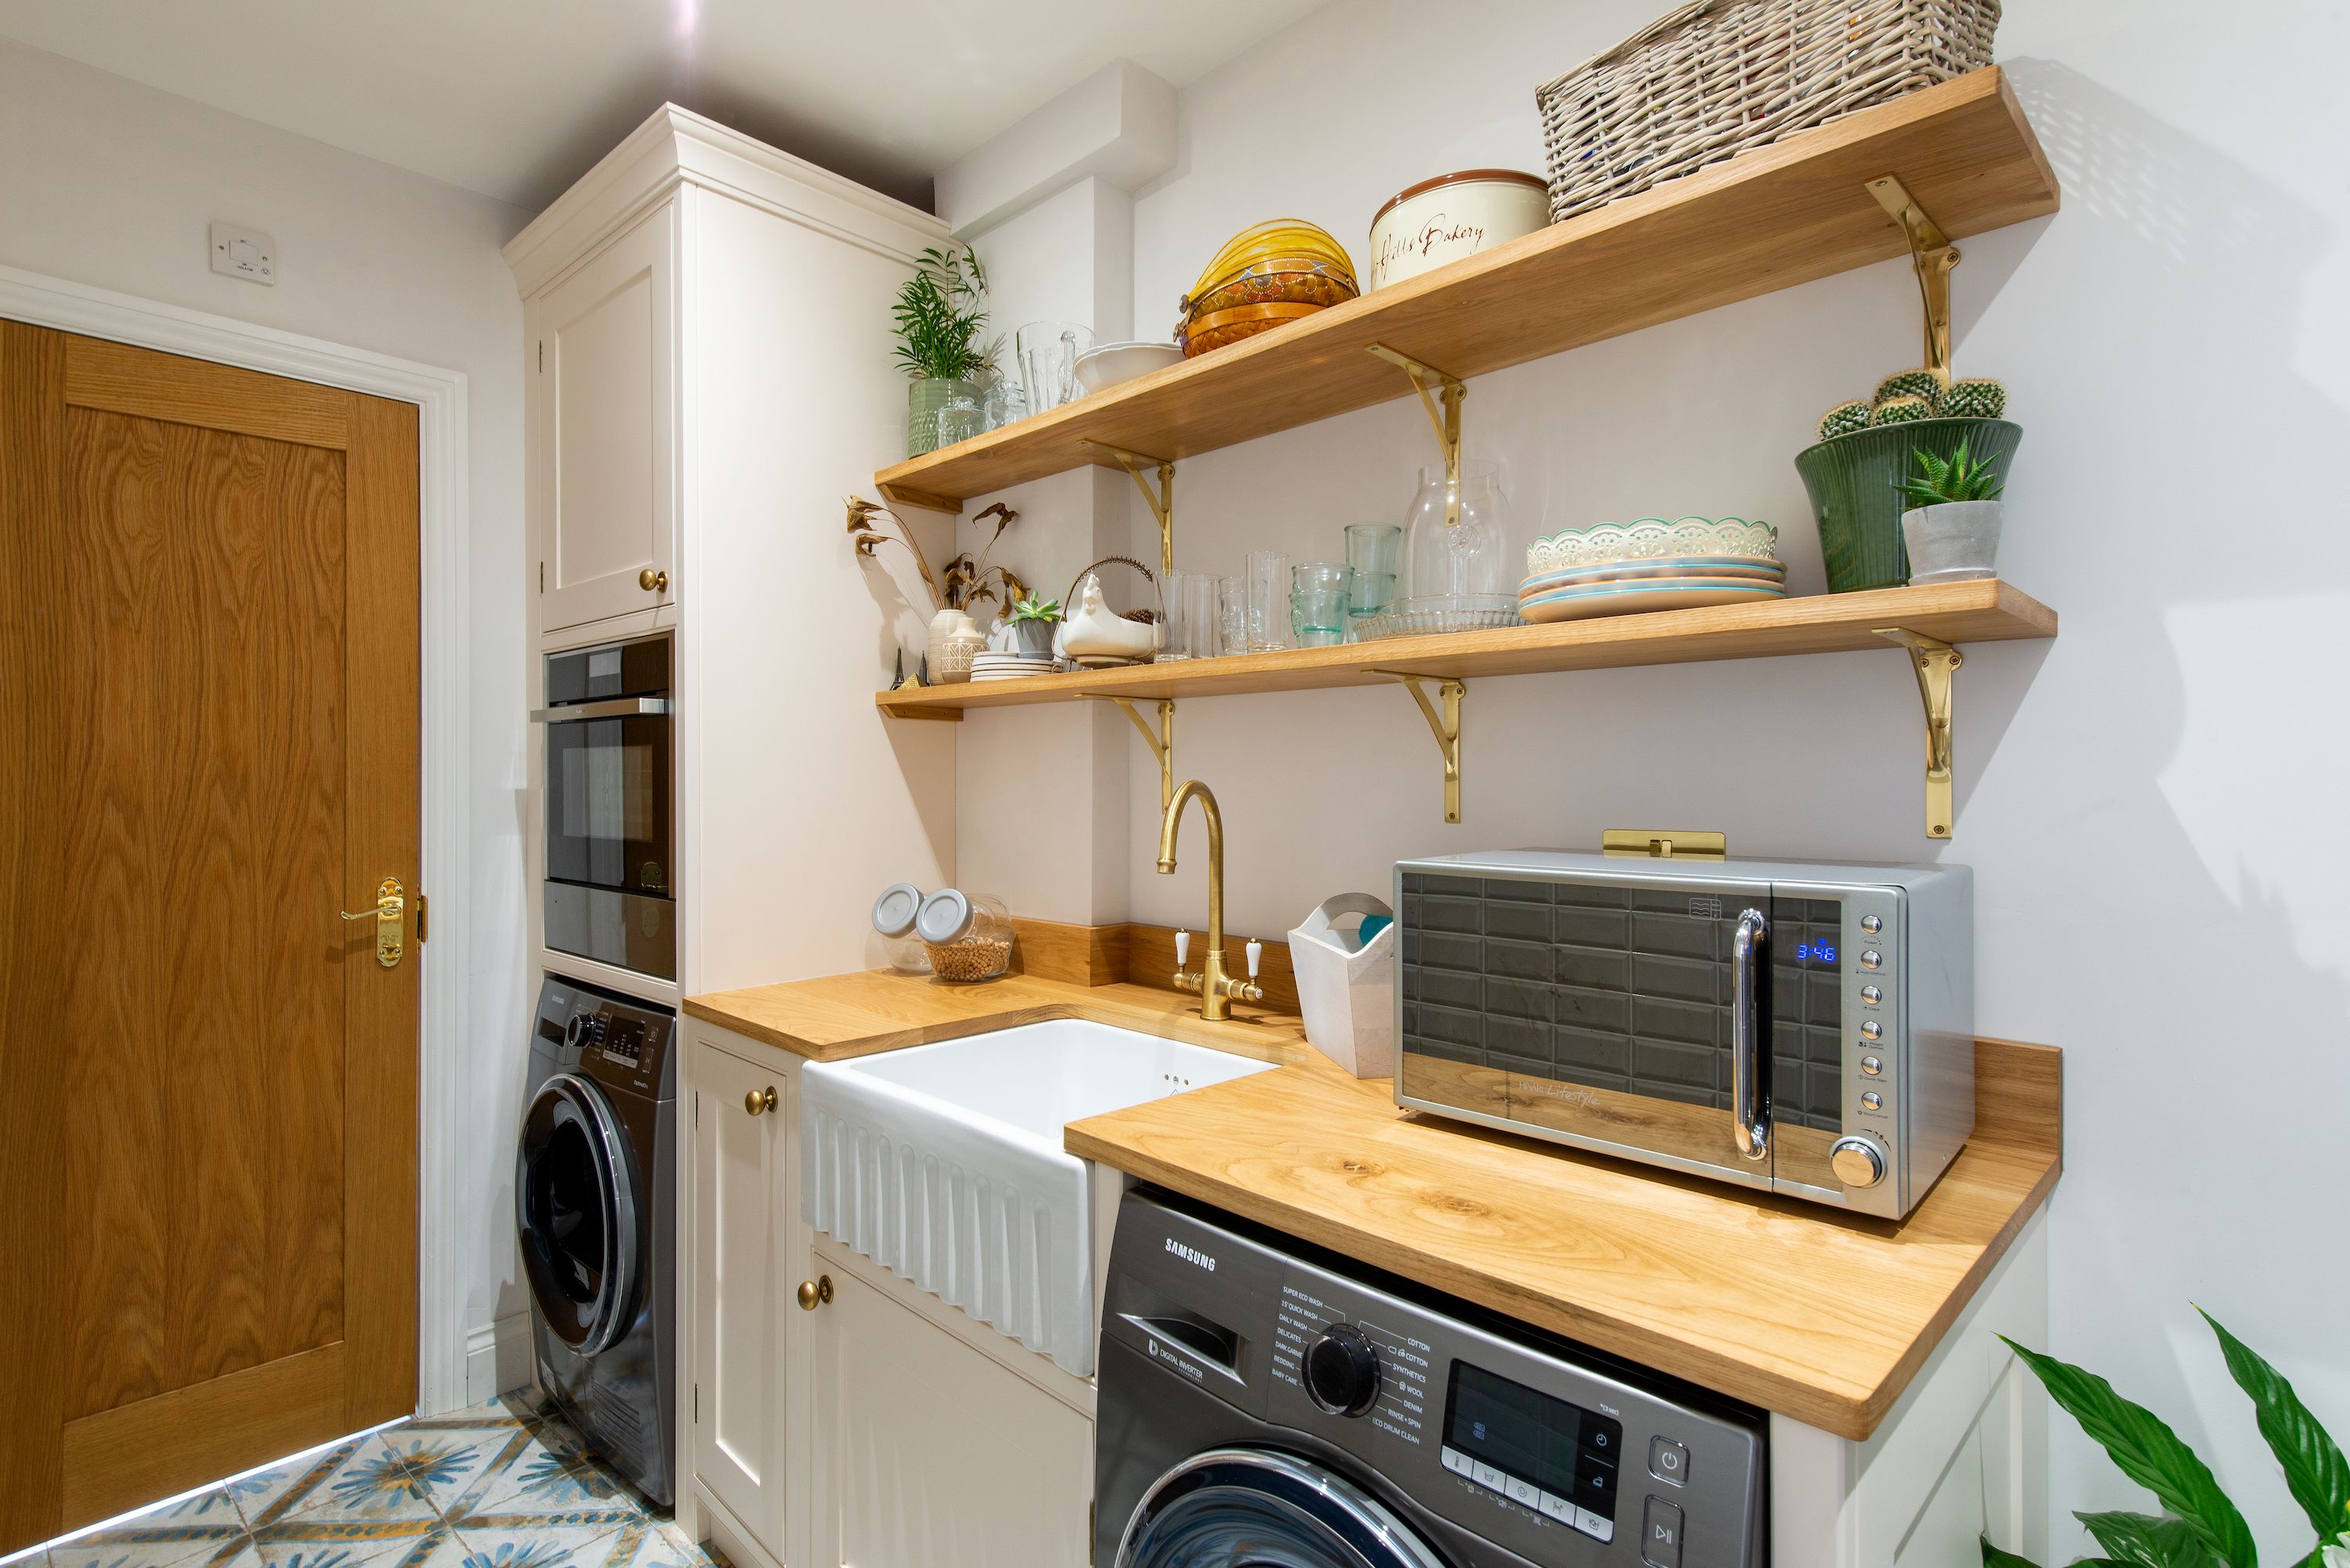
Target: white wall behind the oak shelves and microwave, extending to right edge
[{"x": 2151, "y": 803}]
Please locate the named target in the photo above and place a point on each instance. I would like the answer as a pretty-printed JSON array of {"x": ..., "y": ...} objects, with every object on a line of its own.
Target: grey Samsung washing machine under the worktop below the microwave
[{"x": 1265, "y": 1405}]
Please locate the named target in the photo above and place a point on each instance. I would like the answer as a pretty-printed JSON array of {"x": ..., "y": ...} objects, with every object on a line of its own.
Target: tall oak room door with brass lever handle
[{"x": 208, "y": 1127}]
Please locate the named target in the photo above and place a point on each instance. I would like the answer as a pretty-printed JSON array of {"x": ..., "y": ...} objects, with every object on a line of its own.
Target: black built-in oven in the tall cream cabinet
[{"x": 612, "y": 826}]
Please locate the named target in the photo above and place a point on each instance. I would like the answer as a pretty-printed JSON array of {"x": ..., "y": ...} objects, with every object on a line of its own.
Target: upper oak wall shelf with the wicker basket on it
[{"x": 1761, "y": 222}]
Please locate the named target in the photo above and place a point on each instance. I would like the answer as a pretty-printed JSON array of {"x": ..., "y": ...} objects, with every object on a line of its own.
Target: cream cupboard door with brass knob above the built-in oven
[{"x": 607, "y": 443}]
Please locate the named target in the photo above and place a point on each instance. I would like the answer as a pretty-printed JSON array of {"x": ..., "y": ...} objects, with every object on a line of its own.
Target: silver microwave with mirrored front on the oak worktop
[{"x": 1785, "y": 1026}]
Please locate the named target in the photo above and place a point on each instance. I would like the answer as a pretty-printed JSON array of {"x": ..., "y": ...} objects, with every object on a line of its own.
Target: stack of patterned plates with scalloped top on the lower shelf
[{"x": 1627, "y": 568}]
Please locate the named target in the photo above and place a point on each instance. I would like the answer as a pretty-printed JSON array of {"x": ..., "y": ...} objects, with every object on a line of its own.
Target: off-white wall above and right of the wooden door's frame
[{"x": 114, "y": 185}]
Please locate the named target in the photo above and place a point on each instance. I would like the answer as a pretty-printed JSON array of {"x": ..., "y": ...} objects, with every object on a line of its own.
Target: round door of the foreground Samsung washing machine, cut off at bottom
[{"x": 1258, "y": 1508}]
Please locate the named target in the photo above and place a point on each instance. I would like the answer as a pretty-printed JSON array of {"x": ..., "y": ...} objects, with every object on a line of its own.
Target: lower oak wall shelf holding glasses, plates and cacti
[{"x": 1820, "y": 624}]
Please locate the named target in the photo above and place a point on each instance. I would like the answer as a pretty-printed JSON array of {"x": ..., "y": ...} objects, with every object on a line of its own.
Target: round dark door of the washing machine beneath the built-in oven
[{"x": 577, "y": 1209}]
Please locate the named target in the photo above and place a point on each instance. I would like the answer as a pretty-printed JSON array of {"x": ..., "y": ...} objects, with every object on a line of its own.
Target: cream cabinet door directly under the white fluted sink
[{"x": 927, "y": 1452}]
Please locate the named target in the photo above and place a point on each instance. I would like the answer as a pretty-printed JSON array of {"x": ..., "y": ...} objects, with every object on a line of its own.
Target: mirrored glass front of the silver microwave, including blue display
[{"x": 1613, "y": 1014}]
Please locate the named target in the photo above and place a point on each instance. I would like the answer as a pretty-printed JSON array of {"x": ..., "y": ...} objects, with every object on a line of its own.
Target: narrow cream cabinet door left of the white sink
[{"x": 739, "y": 1376}]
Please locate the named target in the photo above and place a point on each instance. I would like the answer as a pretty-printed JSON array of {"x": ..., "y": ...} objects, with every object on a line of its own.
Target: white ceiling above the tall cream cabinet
[{"x": 518, "y": 98}]
